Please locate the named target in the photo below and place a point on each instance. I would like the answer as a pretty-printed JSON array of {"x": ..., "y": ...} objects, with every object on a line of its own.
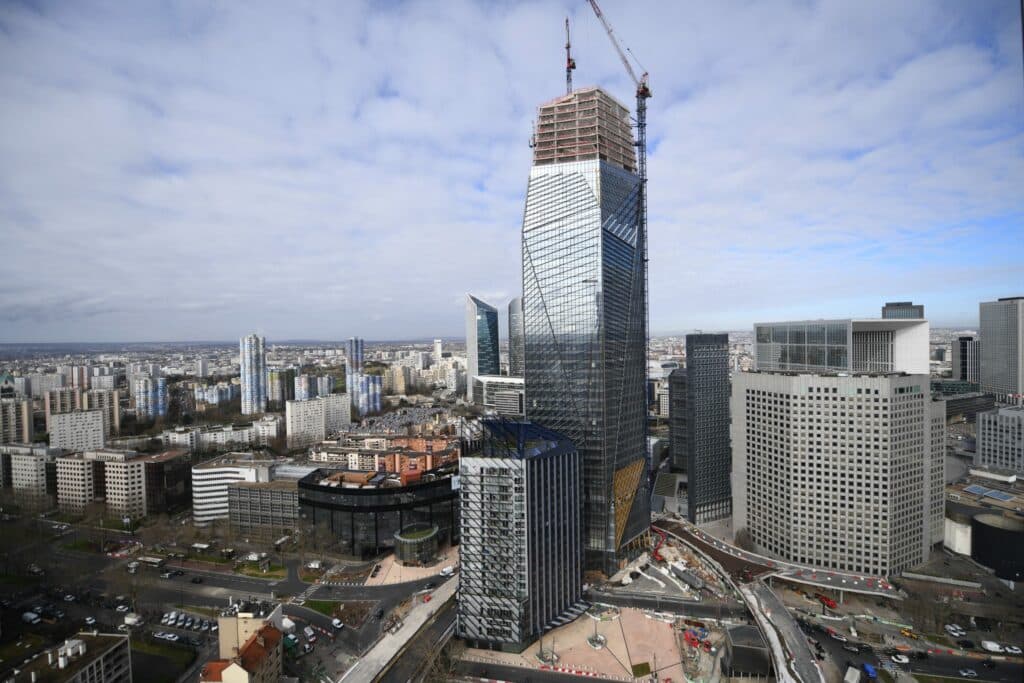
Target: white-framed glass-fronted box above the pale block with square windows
[{"x": 893, "y": 346}]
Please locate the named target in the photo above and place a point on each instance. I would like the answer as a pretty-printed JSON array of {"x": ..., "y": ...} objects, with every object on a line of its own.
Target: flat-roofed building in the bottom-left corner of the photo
[{"x": 87, "y": 658}]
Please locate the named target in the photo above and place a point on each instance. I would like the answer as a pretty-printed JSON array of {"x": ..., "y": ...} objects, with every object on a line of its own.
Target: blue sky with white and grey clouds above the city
[{"x": 197, "y": 170}]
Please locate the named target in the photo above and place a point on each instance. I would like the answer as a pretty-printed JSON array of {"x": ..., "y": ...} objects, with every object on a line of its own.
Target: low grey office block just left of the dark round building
[{"x": 265, "y": 510}]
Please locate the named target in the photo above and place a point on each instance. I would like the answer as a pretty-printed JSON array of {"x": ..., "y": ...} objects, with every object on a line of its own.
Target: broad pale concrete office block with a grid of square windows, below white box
[{"x": 838, "y": 472}]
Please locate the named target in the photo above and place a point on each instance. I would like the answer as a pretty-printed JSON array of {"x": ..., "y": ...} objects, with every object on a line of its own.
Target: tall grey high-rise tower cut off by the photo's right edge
[{"x": 1002, "y": 332}]
